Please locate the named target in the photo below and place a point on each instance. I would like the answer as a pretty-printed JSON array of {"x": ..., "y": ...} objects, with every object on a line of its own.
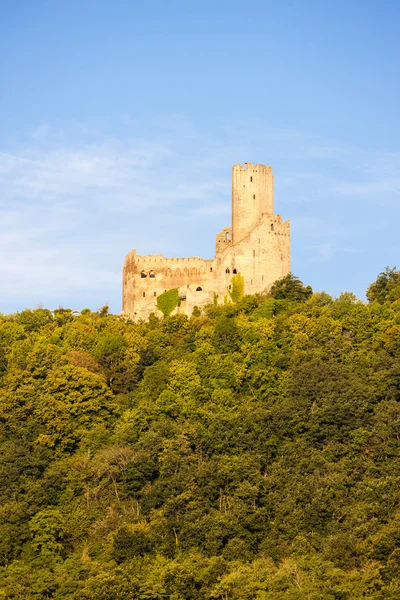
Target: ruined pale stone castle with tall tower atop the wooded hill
[{"x": 256, "y": 246}]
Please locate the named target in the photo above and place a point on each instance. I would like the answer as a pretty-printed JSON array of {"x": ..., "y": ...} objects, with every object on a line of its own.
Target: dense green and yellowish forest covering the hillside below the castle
[{"x": 247, "y": 452}]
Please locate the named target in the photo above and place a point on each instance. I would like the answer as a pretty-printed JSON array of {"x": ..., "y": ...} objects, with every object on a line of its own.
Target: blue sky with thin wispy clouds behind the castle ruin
[{"x": 120, "y": 121}]
